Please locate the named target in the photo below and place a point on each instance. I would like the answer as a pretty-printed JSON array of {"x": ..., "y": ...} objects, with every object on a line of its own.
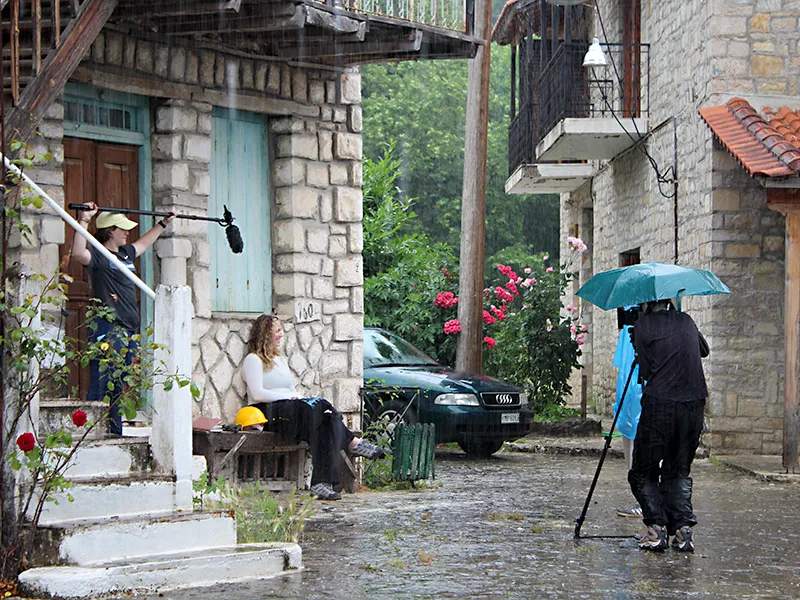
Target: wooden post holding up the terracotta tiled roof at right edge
[{"x": 788, "y": 203}]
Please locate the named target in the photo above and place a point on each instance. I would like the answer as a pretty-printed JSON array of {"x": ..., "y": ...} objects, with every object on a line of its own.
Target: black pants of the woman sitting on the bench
[{"x": 316, "y": 422}]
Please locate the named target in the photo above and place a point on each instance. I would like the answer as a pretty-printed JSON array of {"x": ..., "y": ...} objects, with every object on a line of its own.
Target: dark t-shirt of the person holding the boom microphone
[{"x": 112, "y": 288}]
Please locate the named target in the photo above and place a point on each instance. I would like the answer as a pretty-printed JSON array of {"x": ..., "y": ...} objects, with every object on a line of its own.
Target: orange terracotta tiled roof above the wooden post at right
[{"x": 766, "y": 145}]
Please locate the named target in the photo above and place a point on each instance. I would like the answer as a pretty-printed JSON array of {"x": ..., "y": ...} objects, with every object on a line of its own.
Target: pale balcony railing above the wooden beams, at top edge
[{"x": 445, "y": 14}]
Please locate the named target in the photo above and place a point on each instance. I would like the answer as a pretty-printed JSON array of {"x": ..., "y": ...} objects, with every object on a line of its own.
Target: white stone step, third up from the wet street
[{"x": 106, "y": 497}]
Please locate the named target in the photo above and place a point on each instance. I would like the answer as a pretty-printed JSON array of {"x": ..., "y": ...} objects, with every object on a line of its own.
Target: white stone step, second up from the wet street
[{"x": 89, "y": 543}]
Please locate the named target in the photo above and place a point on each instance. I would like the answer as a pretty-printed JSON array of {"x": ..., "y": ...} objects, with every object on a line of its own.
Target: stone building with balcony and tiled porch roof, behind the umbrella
[{"x": 642, "y": 177}]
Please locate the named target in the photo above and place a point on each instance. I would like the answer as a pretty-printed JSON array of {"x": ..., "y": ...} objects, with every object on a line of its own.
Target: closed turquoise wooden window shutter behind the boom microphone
[{"x": 239, "y": 180}]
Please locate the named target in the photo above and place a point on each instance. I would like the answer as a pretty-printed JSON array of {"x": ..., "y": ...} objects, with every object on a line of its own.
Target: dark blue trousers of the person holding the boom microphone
[{"x": 118, "y": 337}]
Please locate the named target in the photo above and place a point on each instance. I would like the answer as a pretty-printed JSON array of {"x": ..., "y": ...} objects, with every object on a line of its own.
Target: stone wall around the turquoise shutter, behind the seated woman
[{"x": 314, "y": 132}]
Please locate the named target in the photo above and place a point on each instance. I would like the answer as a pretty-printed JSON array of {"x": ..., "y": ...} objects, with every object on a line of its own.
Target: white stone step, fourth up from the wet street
[{"x": 109, "y": 457}]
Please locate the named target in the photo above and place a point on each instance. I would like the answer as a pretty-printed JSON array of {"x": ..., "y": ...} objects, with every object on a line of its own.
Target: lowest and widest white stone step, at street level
[{"x": 191, "y": 569}]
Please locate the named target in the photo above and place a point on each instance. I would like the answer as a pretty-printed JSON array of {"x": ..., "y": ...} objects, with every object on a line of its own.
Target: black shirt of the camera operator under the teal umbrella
[{"x": 669, "y": 348}]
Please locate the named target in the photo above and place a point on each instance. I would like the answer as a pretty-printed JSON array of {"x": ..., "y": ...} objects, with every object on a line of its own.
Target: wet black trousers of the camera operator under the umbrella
[{"x": 663, "y": 451}]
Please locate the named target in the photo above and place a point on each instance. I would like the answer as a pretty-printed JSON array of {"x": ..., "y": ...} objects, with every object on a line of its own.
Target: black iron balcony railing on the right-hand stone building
[{"x": 566, "y": 89}]
